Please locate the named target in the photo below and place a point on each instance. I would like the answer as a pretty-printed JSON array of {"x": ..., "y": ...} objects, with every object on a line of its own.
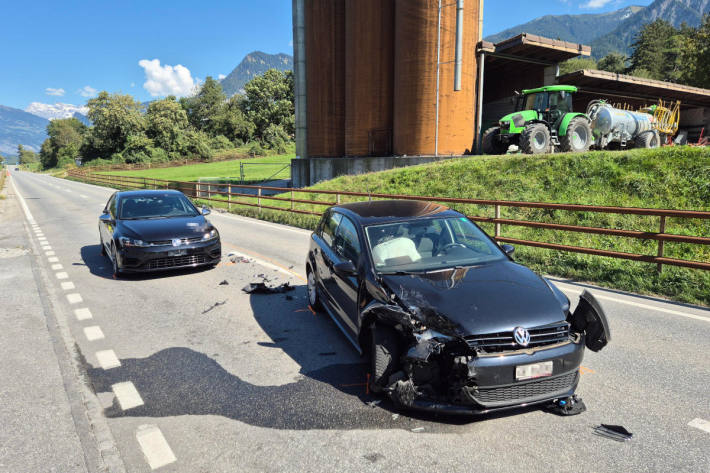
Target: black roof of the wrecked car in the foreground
[{"x": 383, "y": 211}]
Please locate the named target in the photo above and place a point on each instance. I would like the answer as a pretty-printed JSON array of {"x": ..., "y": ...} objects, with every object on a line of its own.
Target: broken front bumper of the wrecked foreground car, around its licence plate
[{"x": 490, "y": 384}]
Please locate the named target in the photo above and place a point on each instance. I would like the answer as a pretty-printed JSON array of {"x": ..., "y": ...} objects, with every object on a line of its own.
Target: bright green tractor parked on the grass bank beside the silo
[{"x": 543, "y": 121}]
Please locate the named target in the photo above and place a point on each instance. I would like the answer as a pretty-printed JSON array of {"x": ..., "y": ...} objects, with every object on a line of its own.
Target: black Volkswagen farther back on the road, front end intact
[{"x": 143, "y": 231}]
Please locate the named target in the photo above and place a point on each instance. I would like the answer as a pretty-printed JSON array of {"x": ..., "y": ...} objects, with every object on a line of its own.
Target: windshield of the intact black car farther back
[{"x": 155, "y": 206}]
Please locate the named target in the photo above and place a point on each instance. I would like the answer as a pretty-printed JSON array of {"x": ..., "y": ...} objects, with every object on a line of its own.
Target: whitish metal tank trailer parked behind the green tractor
[{"x": 613, "y": 125}]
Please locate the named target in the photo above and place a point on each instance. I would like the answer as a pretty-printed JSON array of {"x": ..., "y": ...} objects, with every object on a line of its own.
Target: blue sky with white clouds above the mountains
[{"x": 65, "y": 51}]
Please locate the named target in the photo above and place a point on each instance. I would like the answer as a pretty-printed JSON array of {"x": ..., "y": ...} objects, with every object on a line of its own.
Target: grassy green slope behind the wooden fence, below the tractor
[{"x": 675, "y": 178}]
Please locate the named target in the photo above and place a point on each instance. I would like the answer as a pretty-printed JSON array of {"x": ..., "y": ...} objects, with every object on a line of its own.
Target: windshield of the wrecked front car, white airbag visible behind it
[{"x": 429, "y": 244}]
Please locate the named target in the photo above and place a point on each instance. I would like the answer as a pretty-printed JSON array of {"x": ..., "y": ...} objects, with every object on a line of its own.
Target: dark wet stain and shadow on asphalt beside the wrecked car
[{"x": 330, "y": 394}]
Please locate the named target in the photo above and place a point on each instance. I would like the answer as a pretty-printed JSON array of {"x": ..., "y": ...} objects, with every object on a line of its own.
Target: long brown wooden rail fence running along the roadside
[{"x": 197, "y": 190}]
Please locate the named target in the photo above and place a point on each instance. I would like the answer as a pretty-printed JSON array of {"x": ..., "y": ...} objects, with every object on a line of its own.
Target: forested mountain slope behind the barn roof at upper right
[{"x": 612, "y": 31}]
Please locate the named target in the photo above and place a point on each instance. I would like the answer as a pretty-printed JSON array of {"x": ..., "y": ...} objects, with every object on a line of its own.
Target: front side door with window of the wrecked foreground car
[{"x": 345, "y": 286}]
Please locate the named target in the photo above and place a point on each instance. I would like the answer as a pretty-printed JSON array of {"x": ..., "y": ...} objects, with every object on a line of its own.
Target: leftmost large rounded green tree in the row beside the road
[{"x": 62, "y": 147}]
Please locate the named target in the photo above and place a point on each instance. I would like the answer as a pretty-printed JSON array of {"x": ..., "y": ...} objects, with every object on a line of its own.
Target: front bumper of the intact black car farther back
[{"x": 161, "y": 258}]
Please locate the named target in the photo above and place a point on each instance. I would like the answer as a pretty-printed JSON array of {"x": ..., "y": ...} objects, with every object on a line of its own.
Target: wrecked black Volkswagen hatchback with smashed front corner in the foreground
[{"x": 449, "y": 320}]
